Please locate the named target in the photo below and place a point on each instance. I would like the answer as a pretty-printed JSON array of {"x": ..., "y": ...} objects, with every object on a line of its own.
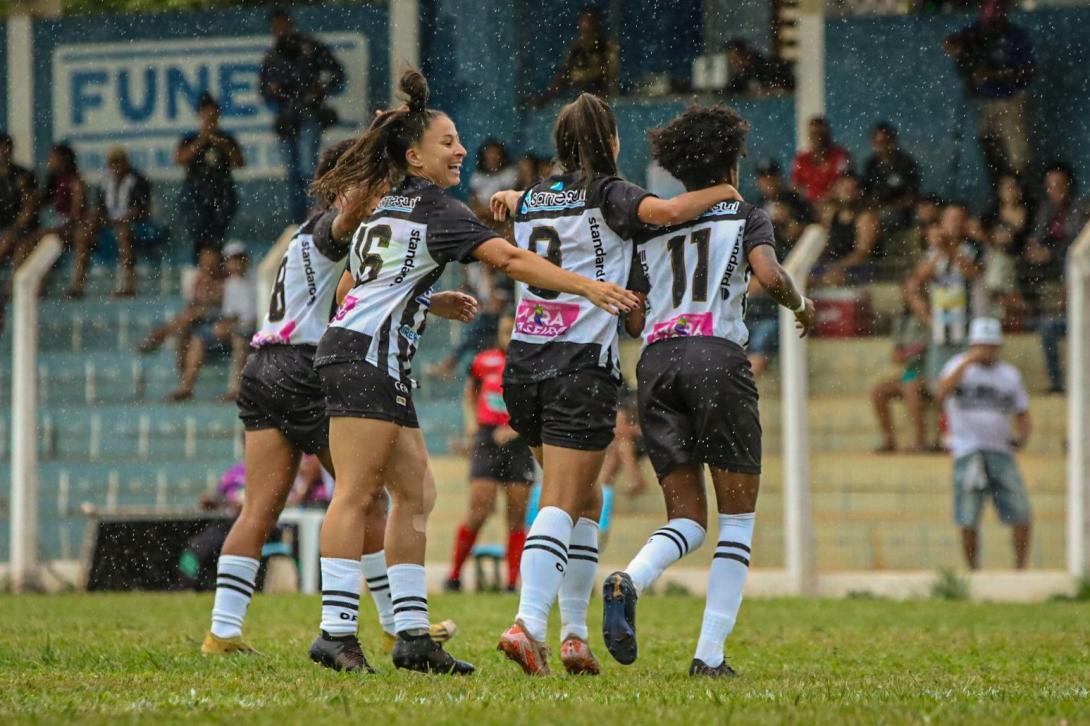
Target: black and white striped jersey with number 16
[{"x": 396, "y": 257}]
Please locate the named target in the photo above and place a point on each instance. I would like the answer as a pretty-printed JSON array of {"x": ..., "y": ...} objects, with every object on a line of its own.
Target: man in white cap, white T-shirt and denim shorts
[{"x": 983, "y": 395}]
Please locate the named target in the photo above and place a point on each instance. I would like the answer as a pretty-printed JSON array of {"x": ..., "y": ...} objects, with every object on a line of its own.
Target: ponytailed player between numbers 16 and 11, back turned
[{"x": 563, "y": 380}]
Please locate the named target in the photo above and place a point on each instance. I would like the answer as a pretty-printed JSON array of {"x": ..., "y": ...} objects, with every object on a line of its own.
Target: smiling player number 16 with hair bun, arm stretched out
[{"x": 365, "y": 361}]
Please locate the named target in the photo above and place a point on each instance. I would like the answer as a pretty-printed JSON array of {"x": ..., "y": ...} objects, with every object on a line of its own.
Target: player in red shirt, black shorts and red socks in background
[{"x": 499, "y": 459}]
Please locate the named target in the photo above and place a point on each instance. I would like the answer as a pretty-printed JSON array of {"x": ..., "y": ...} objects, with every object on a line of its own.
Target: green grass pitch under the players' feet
[{"x": 135, "y": 658}]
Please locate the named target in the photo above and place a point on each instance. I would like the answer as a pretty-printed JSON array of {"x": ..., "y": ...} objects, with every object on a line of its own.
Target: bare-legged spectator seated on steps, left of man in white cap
[{"x": 910, "y": 350}]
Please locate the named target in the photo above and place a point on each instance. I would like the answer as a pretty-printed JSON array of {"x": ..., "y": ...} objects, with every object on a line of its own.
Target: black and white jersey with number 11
[{"x": 696, "y": 275}]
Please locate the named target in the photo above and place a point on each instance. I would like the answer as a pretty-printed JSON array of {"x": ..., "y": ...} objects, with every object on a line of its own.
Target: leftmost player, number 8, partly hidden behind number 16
[{"x": 284, "y": 409}]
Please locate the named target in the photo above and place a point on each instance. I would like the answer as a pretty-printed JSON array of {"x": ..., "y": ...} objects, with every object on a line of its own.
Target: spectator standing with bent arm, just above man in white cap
[{"x": 943, "y": 292}]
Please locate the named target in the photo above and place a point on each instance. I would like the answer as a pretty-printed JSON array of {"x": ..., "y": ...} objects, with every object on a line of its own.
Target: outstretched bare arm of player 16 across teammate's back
[{"x": 536, "y": 271}]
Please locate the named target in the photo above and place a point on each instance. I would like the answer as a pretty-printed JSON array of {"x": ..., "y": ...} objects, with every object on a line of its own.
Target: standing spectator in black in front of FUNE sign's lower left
[{"x": 209, "y": 198}]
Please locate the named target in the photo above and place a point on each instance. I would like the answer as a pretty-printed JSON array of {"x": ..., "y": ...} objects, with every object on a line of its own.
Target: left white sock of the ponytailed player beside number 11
[{"x": 544, "y": 559}]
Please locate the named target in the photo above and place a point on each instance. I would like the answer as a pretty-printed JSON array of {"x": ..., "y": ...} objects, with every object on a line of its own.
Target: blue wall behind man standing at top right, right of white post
[{"x": 895, "y": 69}]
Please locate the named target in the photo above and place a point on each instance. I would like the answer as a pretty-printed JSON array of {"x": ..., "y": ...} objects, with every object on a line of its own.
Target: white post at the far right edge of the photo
[{"x": 1079, "y": 407}]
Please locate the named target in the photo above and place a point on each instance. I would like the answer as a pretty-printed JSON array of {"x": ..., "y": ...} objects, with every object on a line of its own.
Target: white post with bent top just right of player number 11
[{"x": 800, "y": 554}]
